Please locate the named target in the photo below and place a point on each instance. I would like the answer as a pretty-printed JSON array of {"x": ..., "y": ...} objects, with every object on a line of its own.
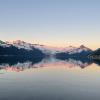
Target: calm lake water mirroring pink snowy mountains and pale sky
[{"x": 50, "y": 79}]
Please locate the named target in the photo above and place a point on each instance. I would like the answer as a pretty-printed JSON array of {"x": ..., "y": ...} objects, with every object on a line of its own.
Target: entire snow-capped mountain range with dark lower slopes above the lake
[{"x": 21, "y": 48}]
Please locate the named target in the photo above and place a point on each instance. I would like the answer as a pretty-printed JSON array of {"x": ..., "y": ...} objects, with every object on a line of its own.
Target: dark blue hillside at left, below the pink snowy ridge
[{"x": 10, "y": 50}]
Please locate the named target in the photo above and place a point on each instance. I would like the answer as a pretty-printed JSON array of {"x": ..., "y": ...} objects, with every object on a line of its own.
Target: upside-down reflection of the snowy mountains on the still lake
[{"x": 21, "y": 64}]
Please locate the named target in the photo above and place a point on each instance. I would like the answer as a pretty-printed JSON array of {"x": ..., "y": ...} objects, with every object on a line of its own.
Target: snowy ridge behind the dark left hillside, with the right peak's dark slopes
[{"x": 66, "y": 52}]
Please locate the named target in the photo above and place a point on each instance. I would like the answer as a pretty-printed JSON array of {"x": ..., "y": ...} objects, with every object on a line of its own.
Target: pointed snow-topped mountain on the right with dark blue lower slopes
[{"x": 74, "y": 52}]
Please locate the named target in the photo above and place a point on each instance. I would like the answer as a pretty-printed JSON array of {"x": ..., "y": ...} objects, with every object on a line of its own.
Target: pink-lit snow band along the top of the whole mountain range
[{"x": 45, "y": 49}]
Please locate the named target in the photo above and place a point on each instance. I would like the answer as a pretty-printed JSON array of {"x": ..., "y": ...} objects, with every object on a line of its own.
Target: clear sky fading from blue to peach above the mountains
[{"x": 51, "y": 22}]
